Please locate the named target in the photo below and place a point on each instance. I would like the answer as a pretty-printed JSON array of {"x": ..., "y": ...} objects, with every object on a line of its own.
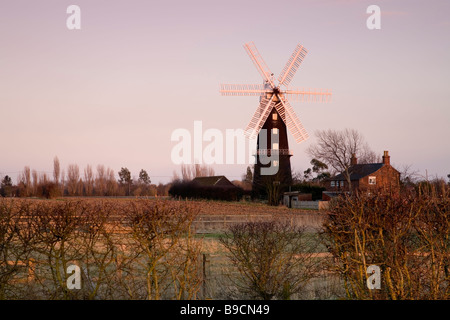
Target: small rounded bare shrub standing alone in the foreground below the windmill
[{"x": 274, "y": 258}]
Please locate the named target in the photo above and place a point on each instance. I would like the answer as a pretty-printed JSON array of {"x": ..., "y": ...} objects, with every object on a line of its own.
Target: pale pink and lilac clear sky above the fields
[{"x": 114, "y": 91}]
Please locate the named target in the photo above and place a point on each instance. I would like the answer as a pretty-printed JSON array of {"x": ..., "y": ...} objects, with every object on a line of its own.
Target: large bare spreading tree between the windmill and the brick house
[{"x": 335, "y": 148}]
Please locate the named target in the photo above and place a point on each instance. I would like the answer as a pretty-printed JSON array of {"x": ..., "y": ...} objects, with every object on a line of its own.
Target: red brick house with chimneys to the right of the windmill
[{"x": 365, "y": 177}]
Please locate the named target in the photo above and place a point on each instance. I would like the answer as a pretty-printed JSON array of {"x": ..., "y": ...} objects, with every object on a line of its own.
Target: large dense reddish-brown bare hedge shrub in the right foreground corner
[{"x": 406, "y": 235}]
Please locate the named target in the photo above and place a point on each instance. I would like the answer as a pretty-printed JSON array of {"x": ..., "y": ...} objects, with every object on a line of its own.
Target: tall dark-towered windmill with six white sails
[{"x": 275, "y": 115}]
